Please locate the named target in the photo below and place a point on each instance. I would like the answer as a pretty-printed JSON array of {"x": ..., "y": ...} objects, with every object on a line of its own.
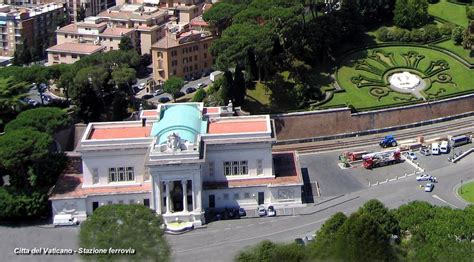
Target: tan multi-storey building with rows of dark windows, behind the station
[{"x": 182, "y": 54}]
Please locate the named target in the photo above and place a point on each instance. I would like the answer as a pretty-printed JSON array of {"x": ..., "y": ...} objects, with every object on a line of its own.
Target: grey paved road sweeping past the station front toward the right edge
[{"x": 222, "y": 240}]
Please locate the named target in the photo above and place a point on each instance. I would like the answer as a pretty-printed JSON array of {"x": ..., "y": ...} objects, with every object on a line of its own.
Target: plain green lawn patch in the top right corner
[{"x": 452, "y": 12}]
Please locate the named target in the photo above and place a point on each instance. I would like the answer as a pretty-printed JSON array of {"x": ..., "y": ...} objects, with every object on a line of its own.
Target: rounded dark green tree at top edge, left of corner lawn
[{"x": 411, "y": 13}]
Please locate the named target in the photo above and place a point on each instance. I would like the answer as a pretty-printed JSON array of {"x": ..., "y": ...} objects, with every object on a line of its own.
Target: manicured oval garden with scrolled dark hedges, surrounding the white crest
[{"x": 363, "y": 76}]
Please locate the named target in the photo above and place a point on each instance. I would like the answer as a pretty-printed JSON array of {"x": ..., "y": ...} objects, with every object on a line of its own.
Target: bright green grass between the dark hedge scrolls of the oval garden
[{"x": 360, "y": 98}]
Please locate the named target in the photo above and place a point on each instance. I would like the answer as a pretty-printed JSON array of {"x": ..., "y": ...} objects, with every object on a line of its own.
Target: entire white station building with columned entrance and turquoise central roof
[{"x": 180, "y": 160}]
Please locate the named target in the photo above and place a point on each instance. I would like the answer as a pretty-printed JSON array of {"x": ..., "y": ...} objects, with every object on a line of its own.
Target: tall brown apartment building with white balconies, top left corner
[{"x": 32, "y": 23}]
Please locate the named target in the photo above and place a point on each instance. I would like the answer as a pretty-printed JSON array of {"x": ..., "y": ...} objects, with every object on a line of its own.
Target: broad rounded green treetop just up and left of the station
[{"x": 46, "y": 120}]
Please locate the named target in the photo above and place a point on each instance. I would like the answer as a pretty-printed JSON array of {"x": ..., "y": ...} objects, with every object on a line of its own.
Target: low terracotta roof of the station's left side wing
[{"x": 70, "y": 186}]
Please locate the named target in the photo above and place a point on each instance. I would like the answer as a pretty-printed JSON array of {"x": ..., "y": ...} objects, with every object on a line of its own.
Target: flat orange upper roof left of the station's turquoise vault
[{"x": 120, "y": 132}]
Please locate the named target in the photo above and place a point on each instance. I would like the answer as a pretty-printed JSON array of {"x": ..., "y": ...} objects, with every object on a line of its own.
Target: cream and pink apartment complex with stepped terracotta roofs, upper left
[{"x": 142, "y": 24}]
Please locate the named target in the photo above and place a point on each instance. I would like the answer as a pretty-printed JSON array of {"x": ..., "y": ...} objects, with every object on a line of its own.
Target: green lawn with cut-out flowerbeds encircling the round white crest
[{"x": 379, "y": 95}]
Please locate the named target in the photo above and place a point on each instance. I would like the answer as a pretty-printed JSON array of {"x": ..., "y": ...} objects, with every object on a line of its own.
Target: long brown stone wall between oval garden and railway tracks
[{"x": 340, "y": 121}]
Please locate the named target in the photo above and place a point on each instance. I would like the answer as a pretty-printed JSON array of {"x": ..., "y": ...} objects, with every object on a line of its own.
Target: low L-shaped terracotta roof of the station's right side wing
[{"x": 286, "y": 173}]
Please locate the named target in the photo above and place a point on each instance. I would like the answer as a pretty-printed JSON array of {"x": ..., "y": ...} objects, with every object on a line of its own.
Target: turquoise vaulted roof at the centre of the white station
[{"x": 184, "y": 120}]
